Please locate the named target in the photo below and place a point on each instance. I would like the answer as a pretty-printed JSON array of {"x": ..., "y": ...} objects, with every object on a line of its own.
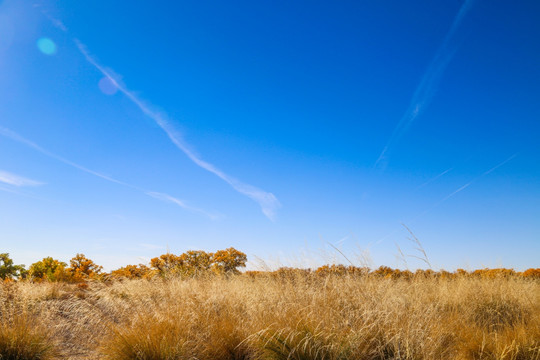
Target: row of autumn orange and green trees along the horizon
[{"x": 222, "y": 262}]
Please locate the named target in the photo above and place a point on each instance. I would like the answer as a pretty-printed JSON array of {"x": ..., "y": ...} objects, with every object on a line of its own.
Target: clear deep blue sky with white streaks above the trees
[{"x": 281, "y": 128}]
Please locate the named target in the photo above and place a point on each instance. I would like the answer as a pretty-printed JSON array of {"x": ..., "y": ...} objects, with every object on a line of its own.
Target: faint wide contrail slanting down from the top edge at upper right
[{"x": 427, "y": 87}]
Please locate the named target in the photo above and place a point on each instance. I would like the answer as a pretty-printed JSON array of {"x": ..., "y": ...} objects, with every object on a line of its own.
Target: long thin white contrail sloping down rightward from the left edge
[{"x": 163, "y": 197}]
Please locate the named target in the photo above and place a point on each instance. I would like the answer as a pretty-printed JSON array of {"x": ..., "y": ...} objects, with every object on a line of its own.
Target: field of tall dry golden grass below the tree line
[{"x": 295, "y": 317}]
